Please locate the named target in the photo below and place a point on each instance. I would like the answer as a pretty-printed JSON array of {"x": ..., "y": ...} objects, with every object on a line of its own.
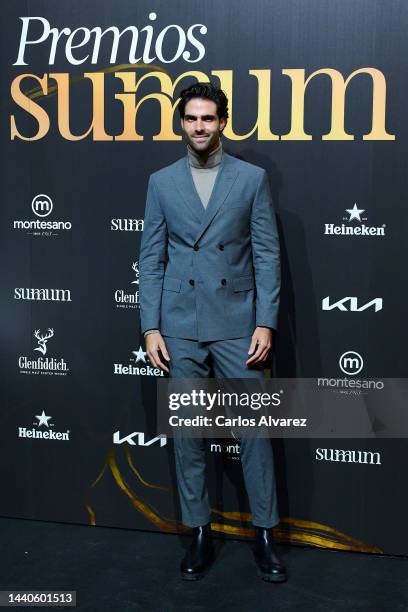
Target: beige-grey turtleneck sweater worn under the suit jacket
[{"x": 204, "y": 174}]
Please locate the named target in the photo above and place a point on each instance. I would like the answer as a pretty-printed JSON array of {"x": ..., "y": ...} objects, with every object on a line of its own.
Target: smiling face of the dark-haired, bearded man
[{"x": 201, "y": 125}]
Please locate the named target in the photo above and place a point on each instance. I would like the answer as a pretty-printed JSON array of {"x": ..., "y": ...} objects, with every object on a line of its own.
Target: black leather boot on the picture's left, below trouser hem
[{"x": 199, "y": 555}]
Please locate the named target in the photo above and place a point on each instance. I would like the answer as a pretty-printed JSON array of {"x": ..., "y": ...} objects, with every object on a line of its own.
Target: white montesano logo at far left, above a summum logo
[{"x": 42, "y": 206}]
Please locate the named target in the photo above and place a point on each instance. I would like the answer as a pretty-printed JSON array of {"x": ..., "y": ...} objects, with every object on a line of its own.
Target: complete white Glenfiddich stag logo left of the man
[{"x": 43, "y": 363}]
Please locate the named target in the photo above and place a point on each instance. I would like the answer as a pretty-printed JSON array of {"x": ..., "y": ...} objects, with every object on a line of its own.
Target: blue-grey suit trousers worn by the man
[{"x": 225, "y": 359}]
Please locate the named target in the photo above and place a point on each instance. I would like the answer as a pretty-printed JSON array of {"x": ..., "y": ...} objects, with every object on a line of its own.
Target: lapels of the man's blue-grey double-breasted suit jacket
[{"x": 224, "y": 180}]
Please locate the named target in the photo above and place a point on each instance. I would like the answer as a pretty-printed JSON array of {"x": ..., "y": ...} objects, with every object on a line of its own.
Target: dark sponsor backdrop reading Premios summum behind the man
[{"x": 317, "y": 96}]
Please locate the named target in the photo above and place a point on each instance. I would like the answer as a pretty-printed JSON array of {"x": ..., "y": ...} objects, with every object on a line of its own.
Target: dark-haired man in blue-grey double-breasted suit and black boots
[{"x": 209, "y": 296}]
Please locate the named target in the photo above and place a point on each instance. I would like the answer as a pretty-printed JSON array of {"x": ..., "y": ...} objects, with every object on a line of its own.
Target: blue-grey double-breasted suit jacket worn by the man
[{"x": 214, "y": 273}]
